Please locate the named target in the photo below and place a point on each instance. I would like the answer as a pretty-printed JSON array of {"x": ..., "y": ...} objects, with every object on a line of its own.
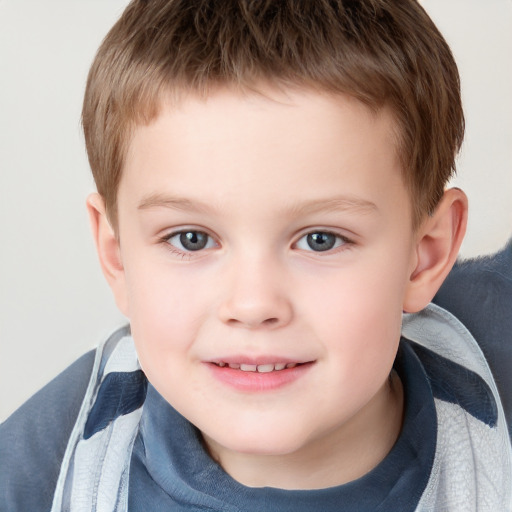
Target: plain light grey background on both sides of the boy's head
[{"x": 54, "y": 303}]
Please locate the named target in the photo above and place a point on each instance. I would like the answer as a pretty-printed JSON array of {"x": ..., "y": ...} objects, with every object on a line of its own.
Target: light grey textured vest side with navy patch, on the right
[{"x": 465, "y": 472}]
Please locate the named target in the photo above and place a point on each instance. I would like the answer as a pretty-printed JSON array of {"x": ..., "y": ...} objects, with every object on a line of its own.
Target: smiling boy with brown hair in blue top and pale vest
[{"x": 270, "y": 201}]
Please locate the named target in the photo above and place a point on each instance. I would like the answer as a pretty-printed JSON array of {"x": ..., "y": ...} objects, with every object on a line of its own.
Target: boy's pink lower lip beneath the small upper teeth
[{"x": 255, "y": 382}]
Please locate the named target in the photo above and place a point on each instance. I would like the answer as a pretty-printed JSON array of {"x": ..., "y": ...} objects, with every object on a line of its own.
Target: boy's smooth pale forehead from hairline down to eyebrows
[{"x": 283, "y": 140}]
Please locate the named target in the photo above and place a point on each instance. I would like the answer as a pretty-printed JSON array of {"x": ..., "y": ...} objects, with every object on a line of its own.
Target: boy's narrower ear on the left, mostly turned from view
[{"x": 107, "y": 246}]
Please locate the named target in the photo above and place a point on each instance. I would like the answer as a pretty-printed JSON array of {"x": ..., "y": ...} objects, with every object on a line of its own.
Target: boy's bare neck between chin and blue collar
[{"x": 339, "y": 457}]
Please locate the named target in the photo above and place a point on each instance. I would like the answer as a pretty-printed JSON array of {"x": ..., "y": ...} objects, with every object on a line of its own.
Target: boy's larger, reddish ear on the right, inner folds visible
[{"x": 437, "y": 244}]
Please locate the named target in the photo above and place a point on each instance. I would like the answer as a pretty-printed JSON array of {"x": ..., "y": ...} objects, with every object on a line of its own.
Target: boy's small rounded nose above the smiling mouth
[{"x": 255, "y": 296}]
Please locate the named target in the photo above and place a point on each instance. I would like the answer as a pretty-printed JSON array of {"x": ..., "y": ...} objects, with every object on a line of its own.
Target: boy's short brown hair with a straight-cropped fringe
[{"x": 382, "y": 52}]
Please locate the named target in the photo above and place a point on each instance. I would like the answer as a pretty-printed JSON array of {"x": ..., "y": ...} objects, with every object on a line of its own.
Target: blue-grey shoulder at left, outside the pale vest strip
[{"x": 33, "y": 440}]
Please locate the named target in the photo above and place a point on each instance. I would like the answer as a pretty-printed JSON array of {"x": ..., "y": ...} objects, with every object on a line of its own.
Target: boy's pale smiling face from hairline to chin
[{"x": 266, "y": 231}]
